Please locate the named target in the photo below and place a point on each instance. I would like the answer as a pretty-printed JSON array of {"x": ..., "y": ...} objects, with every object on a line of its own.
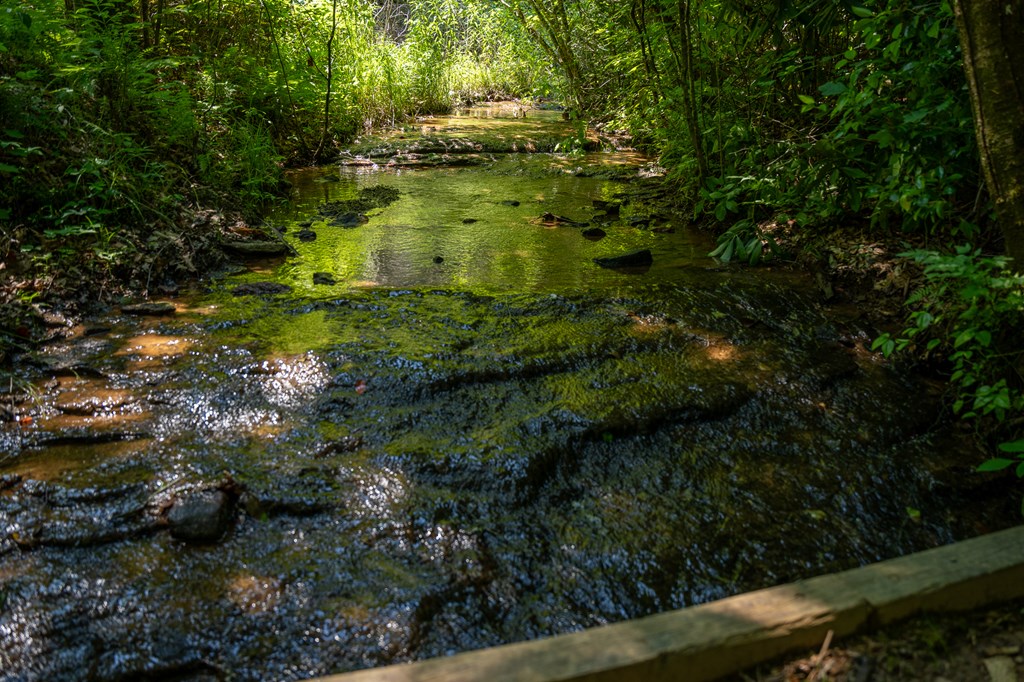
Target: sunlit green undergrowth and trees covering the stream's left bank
[{"x": 118, "y": 120}]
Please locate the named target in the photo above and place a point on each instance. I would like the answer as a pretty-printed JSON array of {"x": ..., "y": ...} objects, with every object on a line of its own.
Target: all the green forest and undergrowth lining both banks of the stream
[{"x": 780, "y": 121}]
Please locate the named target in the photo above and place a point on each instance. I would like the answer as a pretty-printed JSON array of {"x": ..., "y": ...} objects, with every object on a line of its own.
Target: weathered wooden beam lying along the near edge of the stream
[{"x": 705, "y": 643}]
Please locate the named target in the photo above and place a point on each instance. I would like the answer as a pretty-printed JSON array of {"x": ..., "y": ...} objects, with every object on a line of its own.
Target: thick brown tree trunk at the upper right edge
[{"x": 993, "y": 39}]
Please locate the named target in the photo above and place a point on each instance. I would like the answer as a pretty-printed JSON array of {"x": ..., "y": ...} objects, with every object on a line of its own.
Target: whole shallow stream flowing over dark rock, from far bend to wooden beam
[{"x": 467, "y": 435}]
